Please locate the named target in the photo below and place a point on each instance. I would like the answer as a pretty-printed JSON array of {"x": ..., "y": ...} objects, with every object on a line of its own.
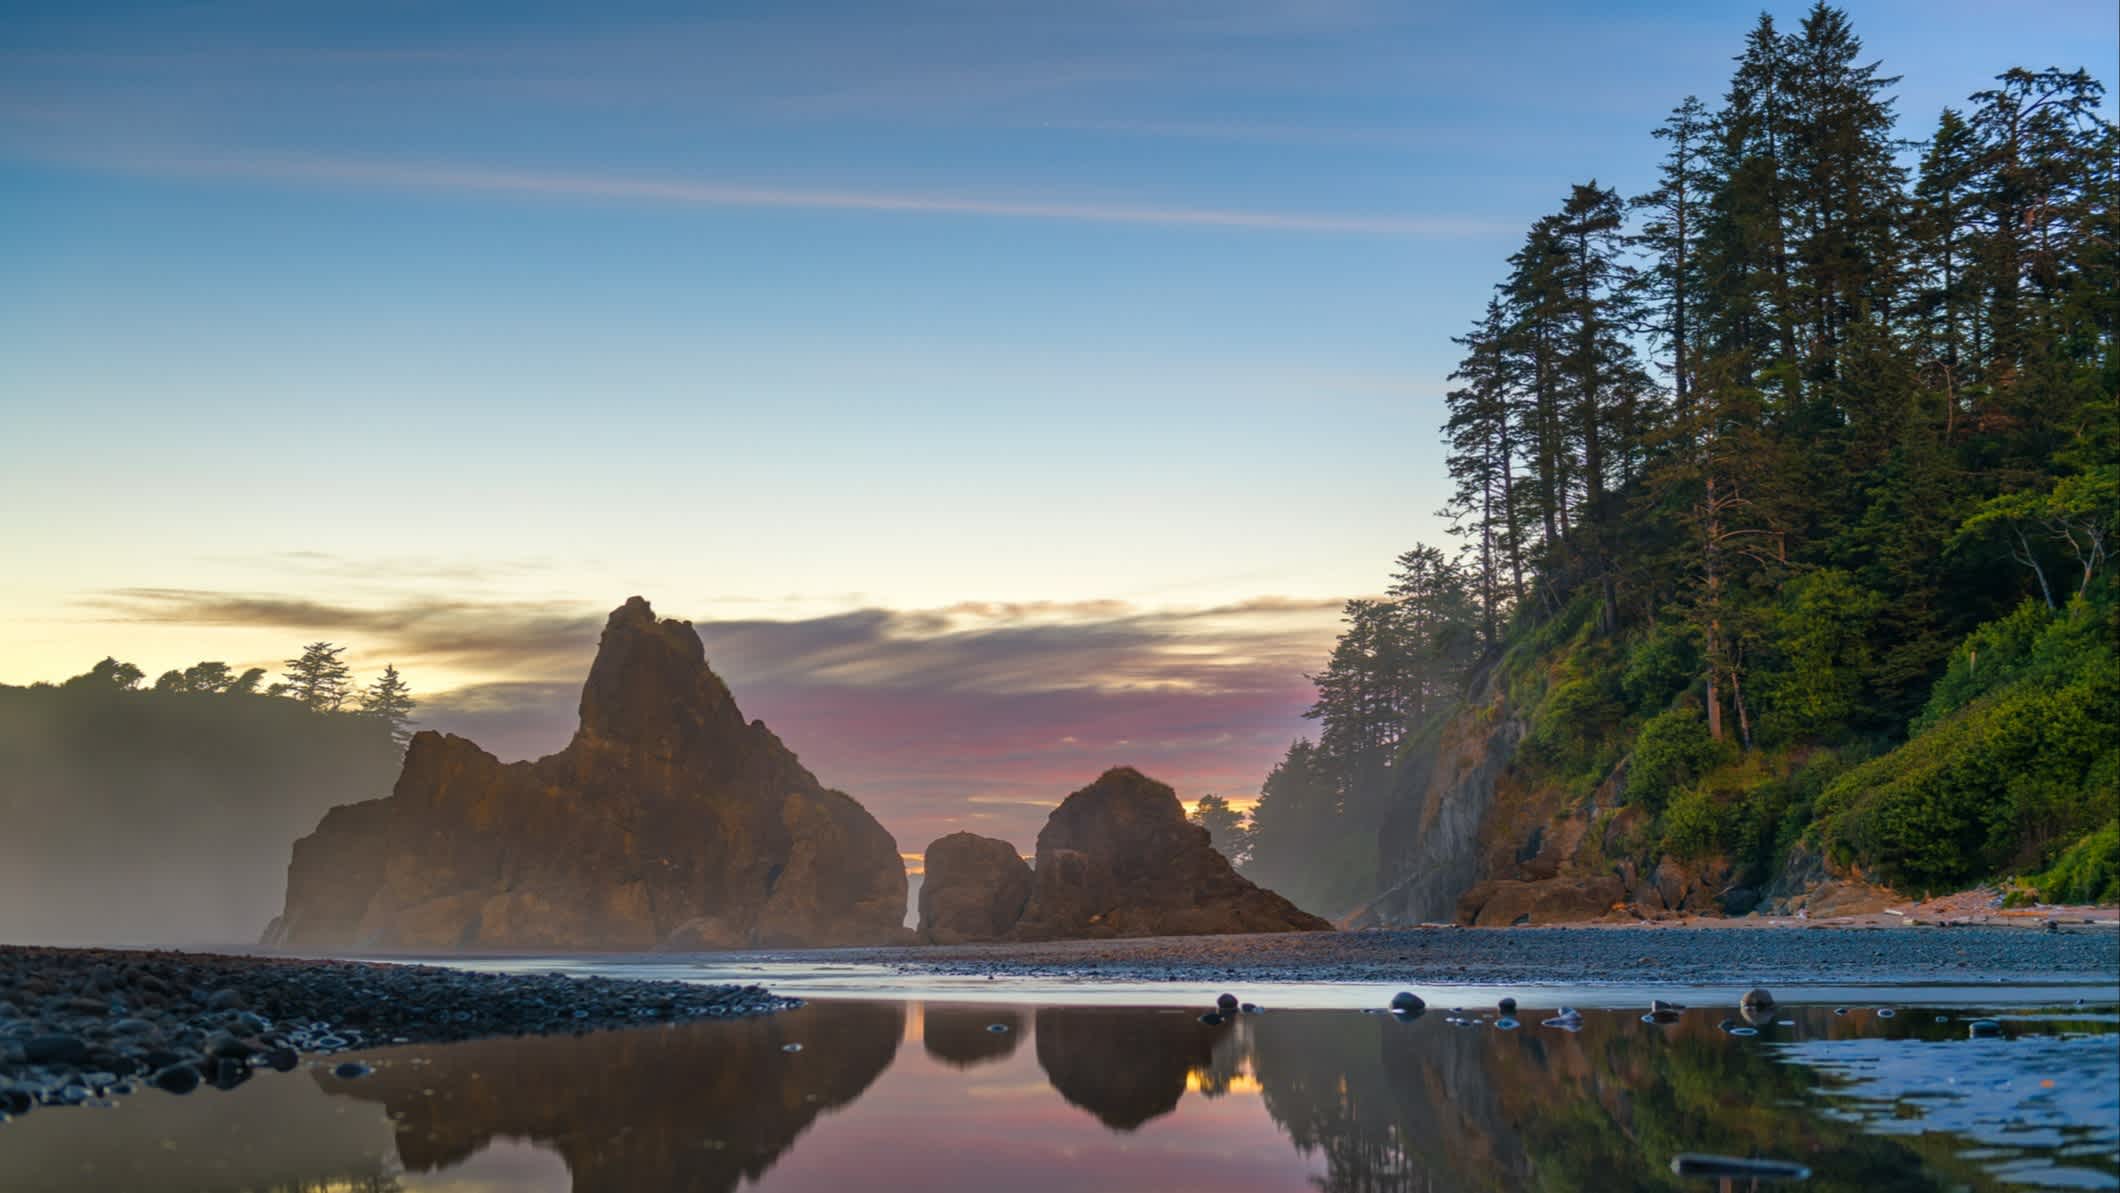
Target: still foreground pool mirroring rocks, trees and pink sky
[{"x": 906, "y": 1094}]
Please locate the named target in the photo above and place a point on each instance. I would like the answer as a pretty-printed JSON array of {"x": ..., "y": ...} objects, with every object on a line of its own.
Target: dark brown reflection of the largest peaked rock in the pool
[{"x": 701, "y": 1107}]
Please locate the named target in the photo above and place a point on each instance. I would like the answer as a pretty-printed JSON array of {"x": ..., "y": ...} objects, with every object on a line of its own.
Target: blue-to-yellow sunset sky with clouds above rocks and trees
[{"x": 1006, "y": 391}]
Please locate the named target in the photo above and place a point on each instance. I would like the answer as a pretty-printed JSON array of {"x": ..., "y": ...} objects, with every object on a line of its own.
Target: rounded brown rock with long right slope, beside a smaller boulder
[{"x": 1118, "y": 859}]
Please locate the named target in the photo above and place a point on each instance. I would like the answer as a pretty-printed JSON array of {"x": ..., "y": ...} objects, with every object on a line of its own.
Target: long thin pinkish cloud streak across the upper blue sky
[{"x": 728, "y": 194}]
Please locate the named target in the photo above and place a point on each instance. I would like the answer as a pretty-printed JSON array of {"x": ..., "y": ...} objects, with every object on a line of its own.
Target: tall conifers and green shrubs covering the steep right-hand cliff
[{"x": 1784, "y": 499}]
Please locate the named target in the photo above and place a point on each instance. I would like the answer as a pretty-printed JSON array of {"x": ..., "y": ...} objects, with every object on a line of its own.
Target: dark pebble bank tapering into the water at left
[{"x": 82, "y": 1027}]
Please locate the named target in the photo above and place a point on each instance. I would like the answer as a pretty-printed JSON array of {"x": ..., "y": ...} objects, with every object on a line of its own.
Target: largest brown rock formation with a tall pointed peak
[{"x": 665, "y": 823}]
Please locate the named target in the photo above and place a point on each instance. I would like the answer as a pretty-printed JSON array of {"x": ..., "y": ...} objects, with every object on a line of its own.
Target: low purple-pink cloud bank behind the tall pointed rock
[{"x": 974, "y": 715}]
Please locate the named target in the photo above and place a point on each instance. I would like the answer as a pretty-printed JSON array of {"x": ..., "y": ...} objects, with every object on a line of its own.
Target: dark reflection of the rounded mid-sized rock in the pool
[{"x": 1123, "y": 1065}]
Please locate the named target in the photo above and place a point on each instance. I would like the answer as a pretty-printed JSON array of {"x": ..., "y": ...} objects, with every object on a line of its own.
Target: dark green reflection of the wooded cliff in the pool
[{"x": 1415, "y": 1107}]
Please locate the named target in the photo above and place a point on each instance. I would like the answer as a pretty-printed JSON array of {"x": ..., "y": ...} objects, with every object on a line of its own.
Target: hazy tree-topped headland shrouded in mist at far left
[{"x": 164, "y": 815}]
